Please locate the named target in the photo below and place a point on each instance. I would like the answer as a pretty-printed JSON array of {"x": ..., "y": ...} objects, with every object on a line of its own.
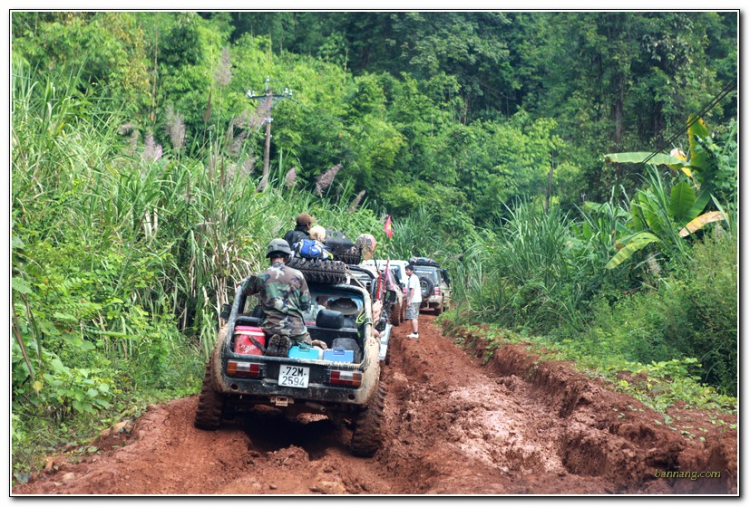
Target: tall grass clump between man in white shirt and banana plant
[{"x": 534, "y": 273}]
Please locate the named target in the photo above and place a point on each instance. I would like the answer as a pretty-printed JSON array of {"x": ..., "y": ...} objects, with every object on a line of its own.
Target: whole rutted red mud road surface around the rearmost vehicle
[{"x": 454, "y": 426}]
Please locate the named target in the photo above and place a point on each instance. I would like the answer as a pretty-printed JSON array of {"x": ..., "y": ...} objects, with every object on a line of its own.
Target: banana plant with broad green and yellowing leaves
[{"x": 664, "y": 218}]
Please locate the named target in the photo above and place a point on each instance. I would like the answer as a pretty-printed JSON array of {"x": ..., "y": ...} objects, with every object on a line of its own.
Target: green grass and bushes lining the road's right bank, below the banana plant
[{"x": 544, "y": 274}]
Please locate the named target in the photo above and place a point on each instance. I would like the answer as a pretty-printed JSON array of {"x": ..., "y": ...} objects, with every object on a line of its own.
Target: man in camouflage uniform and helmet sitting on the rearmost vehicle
[{"x": 284, "y": 296}]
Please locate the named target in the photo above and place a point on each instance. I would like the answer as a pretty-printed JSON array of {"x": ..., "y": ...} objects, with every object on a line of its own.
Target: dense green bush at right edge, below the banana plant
[{"x": 692, "y": 314}]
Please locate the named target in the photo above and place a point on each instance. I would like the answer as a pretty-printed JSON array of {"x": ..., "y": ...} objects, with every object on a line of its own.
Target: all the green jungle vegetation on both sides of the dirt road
[{"x": 135, "y": 155}]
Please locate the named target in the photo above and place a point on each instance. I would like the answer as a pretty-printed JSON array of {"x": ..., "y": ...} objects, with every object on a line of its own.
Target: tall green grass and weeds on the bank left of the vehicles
[{"x": 122, "y": 257}]
